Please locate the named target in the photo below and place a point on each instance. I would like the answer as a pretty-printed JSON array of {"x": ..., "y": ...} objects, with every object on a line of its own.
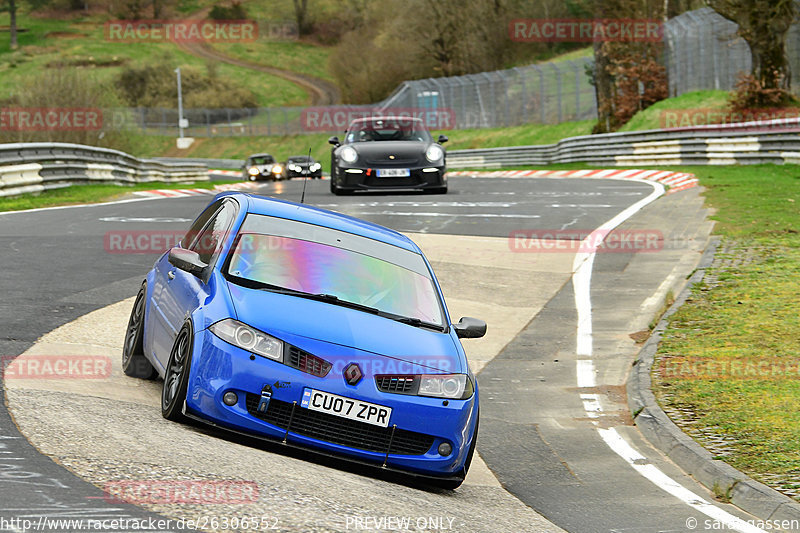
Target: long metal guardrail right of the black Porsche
[{"x": 775, "y": 141}]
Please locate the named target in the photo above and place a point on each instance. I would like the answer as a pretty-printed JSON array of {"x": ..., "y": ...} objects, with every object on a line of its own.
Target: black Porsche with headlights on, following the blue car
[{"x": 388, "y": 153}]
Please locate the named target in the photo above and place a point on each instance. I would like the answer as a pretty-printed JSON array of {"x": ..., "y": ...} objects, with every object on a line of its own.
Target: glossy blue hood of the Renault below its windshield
[{"x": 292, "y": 318}]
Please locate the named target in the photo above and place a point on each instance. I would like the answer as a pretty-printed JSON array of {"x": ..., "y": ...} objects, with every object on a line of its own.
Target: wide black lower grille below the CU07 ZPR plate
[{"x": 338, "y": 430}]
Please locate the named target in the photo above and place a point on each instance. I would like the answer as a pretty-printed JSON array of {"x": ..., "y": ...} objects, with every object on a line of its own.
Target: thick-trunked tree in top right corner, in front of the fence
[{"x": 763, "y": 24}]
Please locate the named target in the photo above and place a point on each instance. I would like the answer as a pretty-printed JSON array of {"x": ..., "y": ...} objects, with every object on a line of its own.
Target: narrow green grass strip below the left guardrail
[{"x": 91, "y": 193}]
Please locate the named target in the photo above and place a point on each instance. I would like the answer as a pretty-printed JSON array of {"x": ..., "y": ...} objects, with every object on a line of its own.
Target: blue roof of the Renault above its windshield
[{"x": 262, "y": 205}]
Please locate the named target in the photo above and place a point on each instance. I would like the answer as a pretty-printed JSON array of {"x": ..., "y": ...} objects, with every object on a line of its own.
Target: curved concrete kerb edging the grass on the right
[{"x": 724, "y": 480}]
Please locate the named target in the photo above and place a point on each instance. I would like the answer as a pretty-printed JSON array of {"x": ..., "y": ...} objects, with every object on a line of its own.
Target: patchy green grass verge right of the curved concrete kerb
[{"x": 730, "y": 355}]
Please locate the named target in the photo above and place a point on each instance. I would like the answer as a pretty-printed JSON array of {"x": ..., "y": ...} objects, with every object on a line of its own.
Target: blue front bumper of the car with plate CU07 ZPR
[{"x": 422, "y": 423}]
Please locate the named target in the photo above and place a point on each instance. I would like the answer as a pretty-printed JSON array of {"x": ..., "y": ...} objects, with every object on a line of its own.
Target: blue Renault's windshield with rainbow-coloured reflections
[{"x": 275, "y": 254}]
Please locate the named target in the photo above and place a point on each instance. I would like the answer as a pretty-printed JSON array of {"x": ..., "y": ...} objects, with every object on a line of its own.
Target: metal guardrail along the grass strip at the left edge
[{"x": 36, "y": 167}]
